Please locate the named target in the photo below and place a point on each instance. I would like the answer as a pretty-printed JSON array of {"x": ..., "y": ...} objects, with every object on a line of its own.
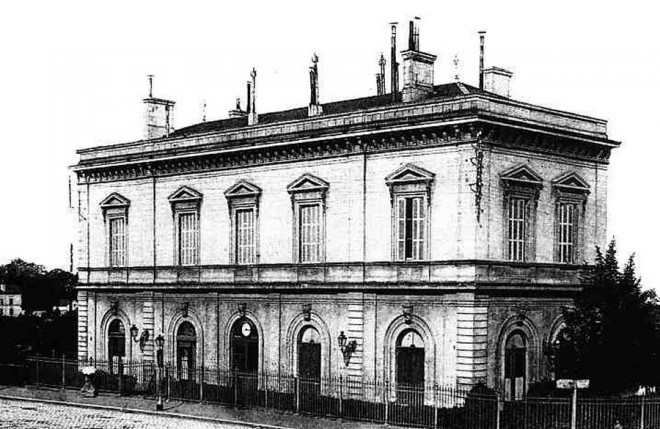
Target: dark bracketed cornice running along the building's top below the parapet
[{"x": 377, "y": 142}]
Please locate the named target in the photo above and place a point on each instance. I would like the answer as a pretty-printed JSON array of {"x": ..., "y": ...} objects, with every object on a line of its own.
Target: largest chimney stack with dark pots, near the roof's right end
[{"x": 417, "y": 69}]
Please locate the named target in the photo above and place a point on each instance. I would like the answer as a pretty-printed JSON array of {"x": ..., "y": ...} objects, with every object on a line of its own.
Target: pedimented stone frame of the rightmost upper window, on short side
[{"x": 570, "y": 189}]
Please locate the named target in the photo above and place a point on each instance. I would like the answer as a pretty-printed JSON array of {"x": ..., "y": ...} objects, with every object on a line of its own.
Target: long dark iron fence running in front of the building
[{"x": 340, "y": 397}]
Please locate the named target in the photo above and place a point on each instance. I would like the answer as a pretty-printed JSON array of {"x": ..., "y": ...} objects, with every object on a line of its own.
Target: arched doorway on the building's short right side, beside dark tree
[{"x": 515, "y": 366}]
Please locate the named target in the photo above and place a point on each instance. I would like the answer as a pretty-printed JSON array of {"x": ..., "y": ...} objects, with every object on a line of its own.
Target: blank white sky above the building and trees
[{"x": 73, "y": 75}]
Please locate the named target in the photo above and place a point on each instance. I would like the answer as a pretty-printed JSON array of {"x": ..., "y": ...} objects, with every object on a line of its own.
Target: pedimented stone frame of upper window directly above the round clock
[{"x": 243, "y": 196}]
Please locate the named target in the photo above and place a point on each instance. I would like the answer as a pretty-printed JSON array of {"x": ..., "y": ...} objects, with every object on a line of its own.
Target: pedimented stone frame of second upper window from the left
[{"x": 186, "y": 201}]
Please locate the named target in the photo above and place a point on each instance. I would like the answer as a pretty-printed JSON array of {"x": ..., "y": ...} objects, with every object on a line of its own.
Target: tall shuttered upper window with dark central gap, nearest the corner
[{"x": 410, "y": 224}]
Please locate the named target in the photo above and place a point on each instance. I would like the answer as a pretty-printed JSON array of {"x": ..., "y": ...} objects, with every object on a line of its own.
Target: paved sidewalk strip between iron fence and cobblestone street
[{"x": 254, "y": 416}]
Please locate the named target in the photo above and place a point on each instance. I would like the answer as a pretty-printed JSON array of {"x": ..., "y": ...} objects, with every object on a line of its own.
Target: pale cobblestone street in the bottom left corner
[{"x": 33, "y": 415}]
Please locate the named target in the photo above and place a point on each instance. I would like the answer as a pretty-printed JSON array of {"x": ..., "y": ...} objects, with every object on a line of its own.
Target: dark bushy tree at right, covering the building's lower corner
[{"x": 610, "y": 335}]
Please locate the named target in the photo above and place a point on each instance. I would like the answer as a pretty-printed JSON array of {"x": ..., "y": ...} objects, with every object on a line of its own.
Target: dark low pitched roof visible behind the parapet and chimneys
[{"x": 448, "y": 90}]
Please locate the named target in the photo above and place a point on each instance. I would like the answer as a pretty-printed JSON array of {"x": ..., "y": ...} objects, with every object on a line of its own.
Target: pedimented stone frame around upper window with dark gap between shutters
[{"x": 410, "y": 181}]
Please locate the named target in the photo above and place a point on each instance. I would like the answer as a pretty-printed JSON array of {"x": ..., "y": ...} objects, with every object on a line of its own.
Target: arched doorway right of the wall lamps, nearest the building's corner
[{"x": 410, "y": 367}]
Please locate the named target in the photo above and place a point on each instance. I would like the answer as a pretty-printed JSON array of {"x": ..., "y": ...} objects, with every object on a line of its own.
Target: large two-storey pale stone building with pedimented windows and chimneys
[{"x": 437, "y": 230}]
